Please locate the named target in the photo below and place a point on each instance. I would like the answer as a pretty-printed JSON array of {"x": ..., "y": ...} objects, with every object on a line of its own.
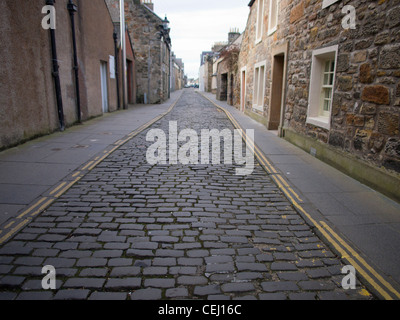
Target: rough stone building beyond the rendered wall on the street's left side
[{"x": 152, "y": 46}]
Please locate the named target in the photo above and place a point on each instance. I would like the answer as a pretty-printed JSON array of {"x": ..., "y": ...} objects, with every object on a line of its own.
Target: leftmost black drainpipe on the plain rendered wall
[{"x": 56, "y": 74}]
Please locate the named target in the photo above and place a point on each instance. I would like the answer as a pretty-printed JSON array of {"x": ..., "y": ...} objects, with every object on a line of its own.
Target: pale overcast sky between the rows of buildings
[{"x": 197, "y": 25}]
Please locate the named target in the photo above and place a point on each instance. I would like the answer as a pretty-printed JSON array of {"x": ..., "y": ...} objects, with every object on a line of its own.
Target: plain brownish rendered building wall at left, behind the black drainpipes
[{"x": 28, "y": 101}]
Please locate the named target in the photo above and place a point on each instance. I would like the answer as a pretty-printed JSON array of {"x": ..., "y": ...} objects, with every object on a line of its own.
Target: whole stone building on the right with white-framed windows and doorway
[{"x": 326, "y": 75}]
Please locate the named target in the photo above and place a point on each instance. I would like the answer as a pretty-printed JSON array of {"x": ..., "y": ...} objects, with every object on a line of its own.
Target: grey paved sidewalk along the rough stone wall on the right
[{"x": 366, "y": 219}]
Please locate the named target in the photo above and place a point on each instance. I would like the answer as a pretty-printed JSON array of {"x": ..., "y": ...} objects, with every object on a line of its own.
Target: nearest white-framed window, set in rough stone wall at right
[{"x": 322, "y": 84}]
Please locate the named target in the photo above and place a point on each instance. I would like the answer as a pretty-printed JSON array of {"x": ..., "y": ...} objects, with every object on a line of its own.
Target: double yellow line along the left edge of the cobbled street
[{"x": 43, "y": 203}]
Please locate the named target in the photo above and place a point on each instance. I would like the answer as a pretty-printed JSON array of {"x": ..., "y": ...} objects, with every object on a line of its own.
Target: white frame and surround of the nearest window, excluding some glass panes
[{"x": 315, "y": 114}]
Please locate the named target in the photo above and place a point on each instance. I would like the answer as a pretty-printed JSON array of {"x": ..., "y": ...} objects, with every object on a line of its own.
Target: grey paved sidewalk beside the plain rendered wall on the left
[{"x": 30, "y": 170}]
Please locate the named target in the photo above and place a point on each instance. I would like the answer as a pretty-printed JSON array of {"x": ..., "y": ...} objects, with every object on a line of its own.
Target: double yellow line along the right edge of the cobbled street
[{"x": 347, "y": 253}]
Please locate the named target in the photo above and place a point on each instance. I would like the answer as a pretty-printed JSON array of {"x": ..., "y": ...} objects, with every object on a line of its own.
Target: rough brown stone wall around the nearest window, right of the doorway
[{"x": 366, "y": 106}]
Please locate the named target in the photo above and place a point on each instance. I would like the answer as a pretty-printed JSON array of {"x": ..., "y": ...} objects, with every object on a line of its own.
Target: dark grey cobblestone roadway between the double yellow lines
[{"x": 131, "y": 230}]
